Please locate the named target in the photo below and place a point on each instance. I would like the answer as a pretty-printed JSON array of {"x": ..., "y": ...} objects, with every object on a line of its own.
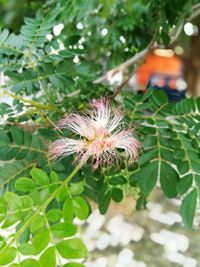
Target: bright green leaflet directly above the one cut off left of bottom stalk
[{"x": 41, "y": 241}]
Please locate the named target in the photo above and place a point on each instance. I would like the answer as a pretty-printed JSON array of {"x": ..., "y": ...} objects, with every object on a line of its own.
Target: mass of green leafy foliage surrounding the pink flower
[{"x": 47, "y": 77}]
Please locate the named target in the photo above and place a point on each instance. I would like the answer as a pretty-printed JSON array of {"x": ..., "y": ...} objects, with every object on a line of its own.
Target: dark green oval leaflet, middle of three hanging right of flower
[{"x": 168, "y": 180}]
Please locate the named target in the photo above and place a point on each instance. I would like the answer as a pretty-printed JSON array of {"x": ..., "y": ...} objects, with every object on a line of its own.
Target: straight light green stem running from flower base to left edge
[{"x": 42, "y": 207}]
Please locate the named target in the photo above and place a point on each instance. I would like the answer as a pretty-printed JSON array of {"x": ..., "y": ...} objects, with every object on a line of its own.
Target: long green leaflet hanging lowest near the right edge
[{"x": 188, "y": 207}]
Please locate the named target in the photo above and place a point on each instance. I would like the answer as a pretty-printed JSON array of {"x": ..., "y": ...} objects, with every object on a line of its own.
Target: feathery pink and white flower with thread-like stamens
[{"x": 100, "y": 133}]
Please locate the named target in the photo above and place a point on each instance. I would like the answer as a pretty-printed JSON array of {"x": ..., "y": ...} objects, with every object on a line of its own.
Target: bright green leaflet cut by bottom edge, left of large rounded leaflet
[{"x": 48, "y": 258}]
